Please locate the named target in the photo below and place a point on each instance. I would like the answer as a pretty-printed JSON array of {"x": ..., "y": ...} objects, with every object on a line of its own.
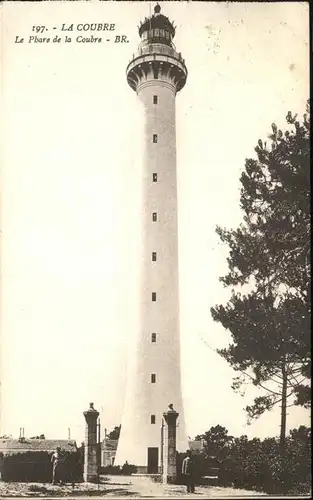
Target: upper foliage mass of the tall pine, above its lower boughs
[{"x": 272, "y": 245}]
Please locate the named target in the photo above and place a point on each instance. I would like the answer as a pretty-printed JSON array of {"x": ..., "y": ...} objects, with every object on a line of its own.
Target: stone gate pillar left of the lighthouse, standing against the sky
[{"x": 91, "y": 455}]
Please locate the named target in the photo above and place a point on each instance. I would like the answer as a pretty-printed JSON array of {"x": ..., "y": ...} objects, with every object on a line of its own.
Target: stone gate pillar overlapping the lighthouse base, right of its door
[{"x": 169, "y": 445}]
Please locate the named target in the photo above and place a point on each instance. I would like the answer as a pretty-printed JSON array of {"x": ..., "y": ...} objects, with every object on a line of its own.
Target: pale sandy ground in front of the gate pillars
[{"x": 117, "y": 487}]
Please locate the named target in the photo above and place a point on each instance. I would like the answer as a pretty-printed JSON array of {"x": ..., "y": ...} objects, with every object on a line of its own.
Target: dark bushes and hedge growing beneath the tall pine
[{"x": 256, "y": 464}]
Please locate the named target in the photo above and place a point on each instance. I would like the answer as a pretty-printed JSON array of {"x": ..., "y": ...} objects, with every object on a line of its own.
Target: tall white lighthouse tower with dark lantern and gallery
[{"x": 156, "y": 73}]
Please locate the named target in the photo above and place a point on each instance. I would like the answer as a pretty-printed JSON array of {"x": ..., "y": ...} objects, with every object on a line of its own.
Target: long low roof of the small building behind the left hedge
[{"x": 25, "y": 444}]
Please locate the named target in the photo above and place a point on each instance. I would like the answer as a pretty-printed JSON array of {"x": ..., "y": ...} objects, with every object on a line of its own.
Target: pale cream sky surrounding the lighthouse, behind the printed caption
[{"x": 70, "y": 176}]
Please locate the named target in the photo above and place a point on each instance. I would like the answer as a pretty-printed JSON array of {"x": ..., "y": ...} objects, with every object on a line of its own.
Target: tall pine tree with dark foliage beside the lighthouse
[{"x": 270, "y": 252}]
